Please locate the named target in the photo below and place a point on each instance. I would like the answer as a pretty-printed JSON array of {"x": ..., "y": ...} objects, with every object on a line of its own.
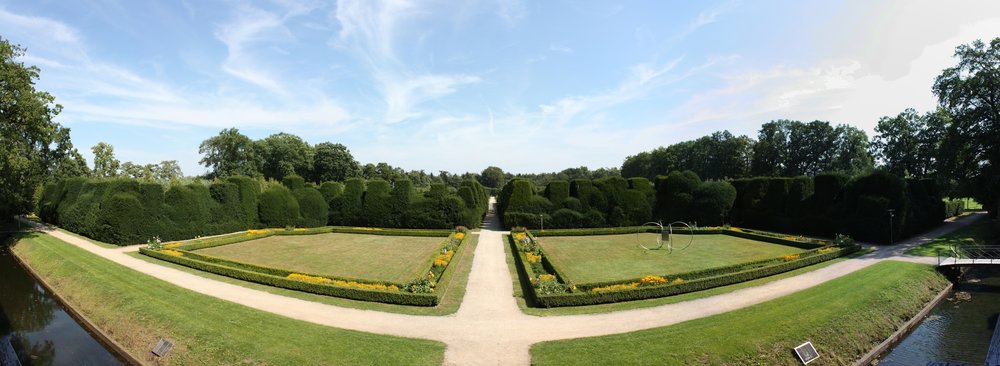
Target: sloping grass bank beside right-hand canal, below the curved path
[{"x": 843, "y": 318}]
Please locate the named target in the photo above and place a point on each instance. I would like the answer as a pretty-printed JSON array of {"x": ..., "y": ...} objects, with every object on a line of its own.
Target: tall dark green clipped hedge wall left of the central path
[{"x": 126, "y": 211}]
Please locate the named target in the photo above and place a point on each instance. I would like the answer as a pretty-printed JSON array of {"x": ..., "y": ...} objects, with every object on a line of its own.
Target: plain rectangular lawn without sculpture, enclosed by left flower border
[{"x": 396, "y": 259}]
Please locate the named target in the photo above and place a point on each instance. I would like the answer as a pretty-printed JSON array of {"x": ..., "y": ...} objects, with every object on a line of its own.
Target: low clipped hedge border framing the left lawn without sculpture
[{"x": 278, "y": 277}]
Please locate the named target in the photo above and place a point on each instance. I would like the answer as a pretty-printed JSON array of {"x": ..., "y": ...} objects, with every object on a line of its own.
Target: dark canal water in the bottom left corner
[{"x": 35, "y": 329}]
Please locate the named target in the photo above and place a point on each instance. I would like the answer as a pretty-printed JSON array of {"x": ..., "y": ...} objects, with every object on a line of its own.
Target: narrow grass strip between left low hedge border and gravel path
[{"x": 453, "y": 284}]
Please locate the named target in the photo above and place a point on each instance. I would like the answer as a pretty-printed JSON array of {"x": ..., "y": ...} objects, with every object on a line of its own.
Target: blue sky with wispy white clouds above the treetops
[{"x": 529, "y": 86}]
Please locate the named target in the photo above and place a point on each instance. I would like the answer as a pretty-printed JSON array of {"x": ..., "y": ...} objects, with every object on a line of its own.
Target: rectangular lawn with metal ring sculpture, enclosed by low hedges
[{"x": 587, "y": 259}]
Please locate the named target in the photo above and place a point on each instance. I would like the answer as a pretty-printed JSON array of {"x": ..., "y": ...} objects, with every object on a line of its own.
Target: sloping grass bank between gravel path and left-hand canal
[{"x": 136, "y": 309}]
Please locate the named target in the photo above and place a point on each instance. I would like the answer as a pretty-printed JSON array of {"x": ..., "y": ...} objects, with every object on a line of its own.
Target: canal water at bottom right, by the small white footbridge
[{"x": 959, "y": 329}]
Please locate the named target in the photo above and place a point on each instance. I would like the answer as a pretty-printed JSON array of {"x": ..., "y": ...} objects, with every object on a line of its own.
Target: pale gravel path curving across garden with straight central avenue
[{"x": 489, "y": 328}]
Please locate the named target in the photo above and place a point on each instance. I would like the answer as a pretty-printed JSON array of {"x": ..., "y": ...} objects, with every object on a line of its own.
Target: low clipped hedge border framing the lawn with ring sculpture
[{"x": 580, "y": 294}]
